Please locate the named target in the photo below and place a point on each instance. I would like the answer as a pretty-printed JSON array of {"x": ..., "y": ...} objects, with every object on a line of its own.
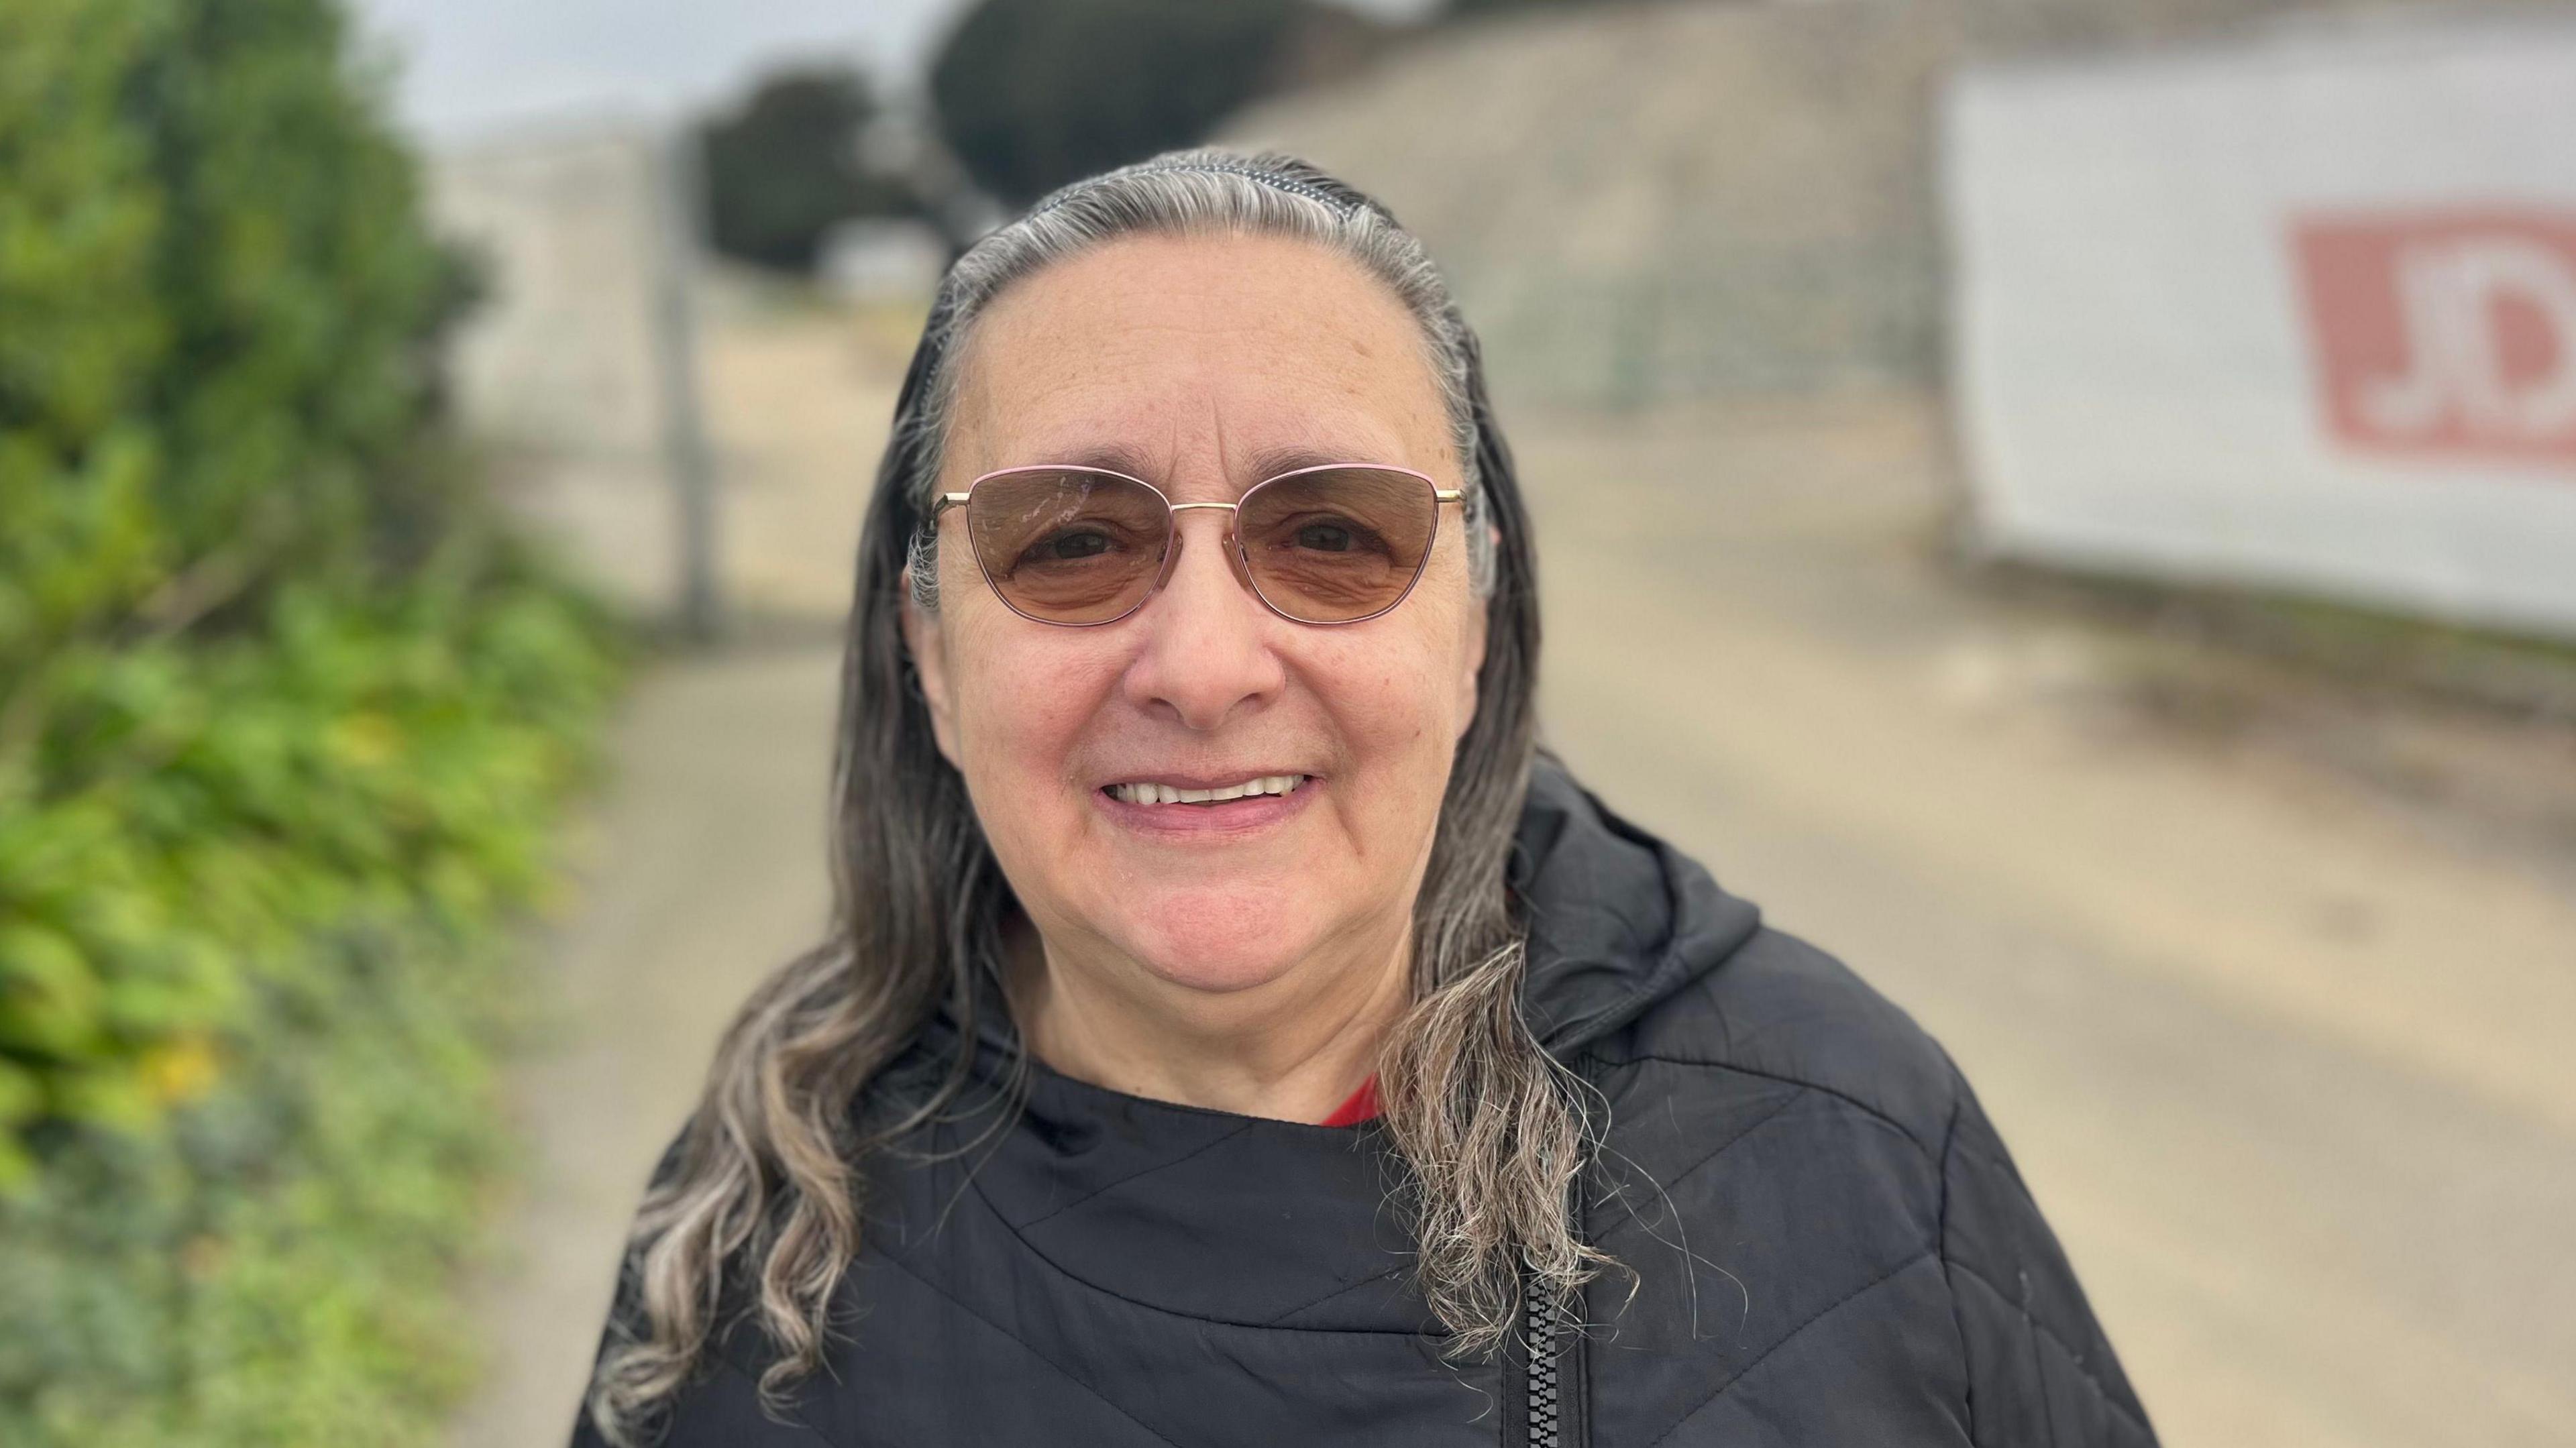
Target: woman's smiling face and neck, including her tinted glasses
[{"x": 1238, "y": 955}]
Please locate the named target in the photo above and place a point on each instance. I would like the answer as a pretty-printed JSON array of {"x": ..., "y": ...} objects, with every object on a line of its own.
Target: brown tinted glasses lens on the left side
[{"x": 1068, "y": 545}]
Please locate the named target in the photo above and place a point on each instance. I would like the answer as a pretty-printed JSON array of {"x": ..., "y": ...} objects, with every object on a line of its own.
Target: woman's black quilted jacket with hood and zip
[{"x": 1833, "y": 1243}]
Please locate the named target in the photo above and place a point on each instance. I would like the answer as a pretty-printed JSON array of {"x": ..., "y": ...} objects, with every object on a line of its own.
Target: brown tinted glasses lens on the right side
[{"x": 1338, "y": 545}]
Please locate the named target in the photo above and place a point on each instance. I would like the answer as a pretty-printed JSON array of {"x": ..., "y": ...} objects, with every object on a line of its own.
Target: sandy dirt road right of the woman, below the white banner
[{"x": 2281, "y": 1055}]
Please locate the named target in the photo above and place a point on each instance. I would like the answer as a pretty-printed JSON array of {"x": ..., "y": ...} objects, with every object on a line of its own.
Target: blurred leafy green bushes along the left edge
[{"x": 285, "y": 718}]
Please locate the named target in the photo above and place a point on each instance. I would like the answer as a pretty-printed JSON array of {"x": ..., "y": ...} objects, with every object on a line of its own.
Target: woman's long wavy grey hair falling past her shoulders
[{"x": 759, "y": 1202}]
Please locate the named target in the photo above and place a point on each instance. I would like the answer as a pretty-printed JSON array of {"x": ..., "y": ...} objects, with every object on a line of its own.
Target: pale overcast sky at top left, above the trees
[{"x": 473, "y": 68}]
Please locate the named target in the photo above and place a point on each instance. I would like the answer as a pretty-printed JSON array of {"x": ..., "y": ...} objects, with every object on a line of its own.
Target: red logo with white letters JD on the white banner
[{"x": 2448, "y": 334}]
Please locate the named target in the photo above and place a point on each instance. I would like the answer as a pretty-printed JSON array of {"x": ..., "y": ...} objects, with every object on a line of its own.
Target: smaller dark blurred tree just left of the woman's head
[{"x": 787, "y": 166}]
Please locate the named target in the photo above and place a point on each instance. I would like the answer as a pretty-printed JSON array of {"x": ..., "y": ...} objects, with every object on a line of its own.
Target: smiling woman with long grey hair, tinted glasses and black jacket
[{"x": 1233, "y": 1029}]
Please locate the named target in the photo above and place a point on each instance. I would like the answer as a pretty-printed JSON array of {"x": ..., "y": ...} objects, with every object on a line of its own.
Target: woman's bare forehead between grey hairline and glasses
[{"x": 1171, "y": 347}]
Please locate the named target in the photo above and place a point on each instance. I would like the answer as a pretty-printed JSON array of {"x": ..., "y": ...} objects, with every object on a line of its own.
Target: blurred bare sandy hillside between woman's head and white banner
[{"x": 1660, "y": 202}]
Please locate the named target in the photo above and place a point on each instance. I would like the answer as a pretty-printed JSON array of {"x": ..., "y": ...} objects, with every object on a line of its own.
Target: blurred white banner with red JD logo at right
[{"x": 2297, "y": 313}]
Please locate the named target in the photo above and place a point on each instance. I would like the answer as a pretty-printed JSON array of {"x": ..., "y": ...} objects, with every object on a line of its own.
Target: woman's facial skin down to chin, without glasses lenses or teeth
[{"x": 1204, "y": 365}]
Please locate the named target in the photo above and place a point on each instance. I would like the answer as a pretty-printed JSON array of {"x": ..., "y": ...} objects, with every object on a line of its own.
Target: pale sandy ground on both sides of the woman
[{"x": 2276, "y": 1042}]
